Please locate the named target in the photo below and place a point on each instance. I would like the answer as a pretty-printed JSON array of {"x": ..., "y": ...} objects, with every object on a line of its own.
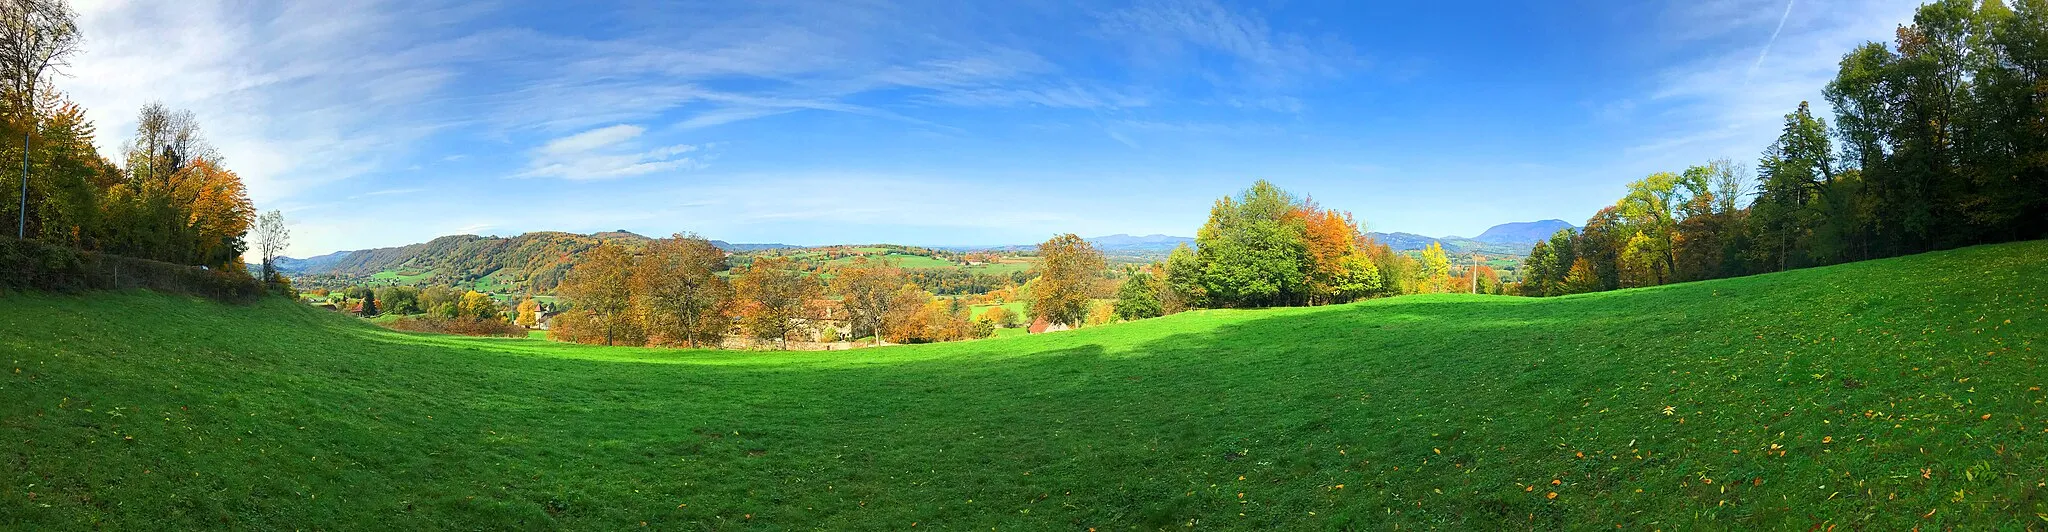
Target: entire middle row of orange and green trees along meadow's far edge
[{"x": 1261, "y": 249}]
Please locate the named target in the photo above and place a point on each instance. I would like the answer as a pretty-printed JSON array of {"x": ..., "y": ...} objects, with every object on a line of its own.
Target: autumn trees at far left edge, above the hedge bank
[{"x": 169, "y": 197}]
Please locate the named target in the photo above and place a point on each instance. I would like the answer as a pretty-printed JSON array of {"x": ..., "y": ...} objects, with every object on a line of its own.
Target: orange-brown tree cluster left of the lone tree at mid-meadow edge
[{"x": 681, "y": 292}]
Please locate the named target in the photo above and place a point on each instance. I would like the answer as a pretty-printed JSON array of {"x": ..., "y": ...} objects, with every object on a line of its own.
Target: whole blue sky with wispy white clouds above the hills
[{"x": 849, "y": 122}]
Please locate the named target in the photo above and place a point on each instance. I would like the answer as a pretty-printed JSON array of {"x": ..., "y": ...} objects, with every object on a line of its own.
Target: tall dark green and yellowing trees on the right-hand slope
[{"x": 1940, "y": 140}]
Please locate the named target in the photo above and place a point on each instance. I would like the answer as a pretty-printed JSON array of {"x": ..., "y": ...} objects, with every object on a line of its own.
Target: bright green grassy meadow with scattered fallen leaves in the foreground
[{"x": 1879, "y": 396}]
